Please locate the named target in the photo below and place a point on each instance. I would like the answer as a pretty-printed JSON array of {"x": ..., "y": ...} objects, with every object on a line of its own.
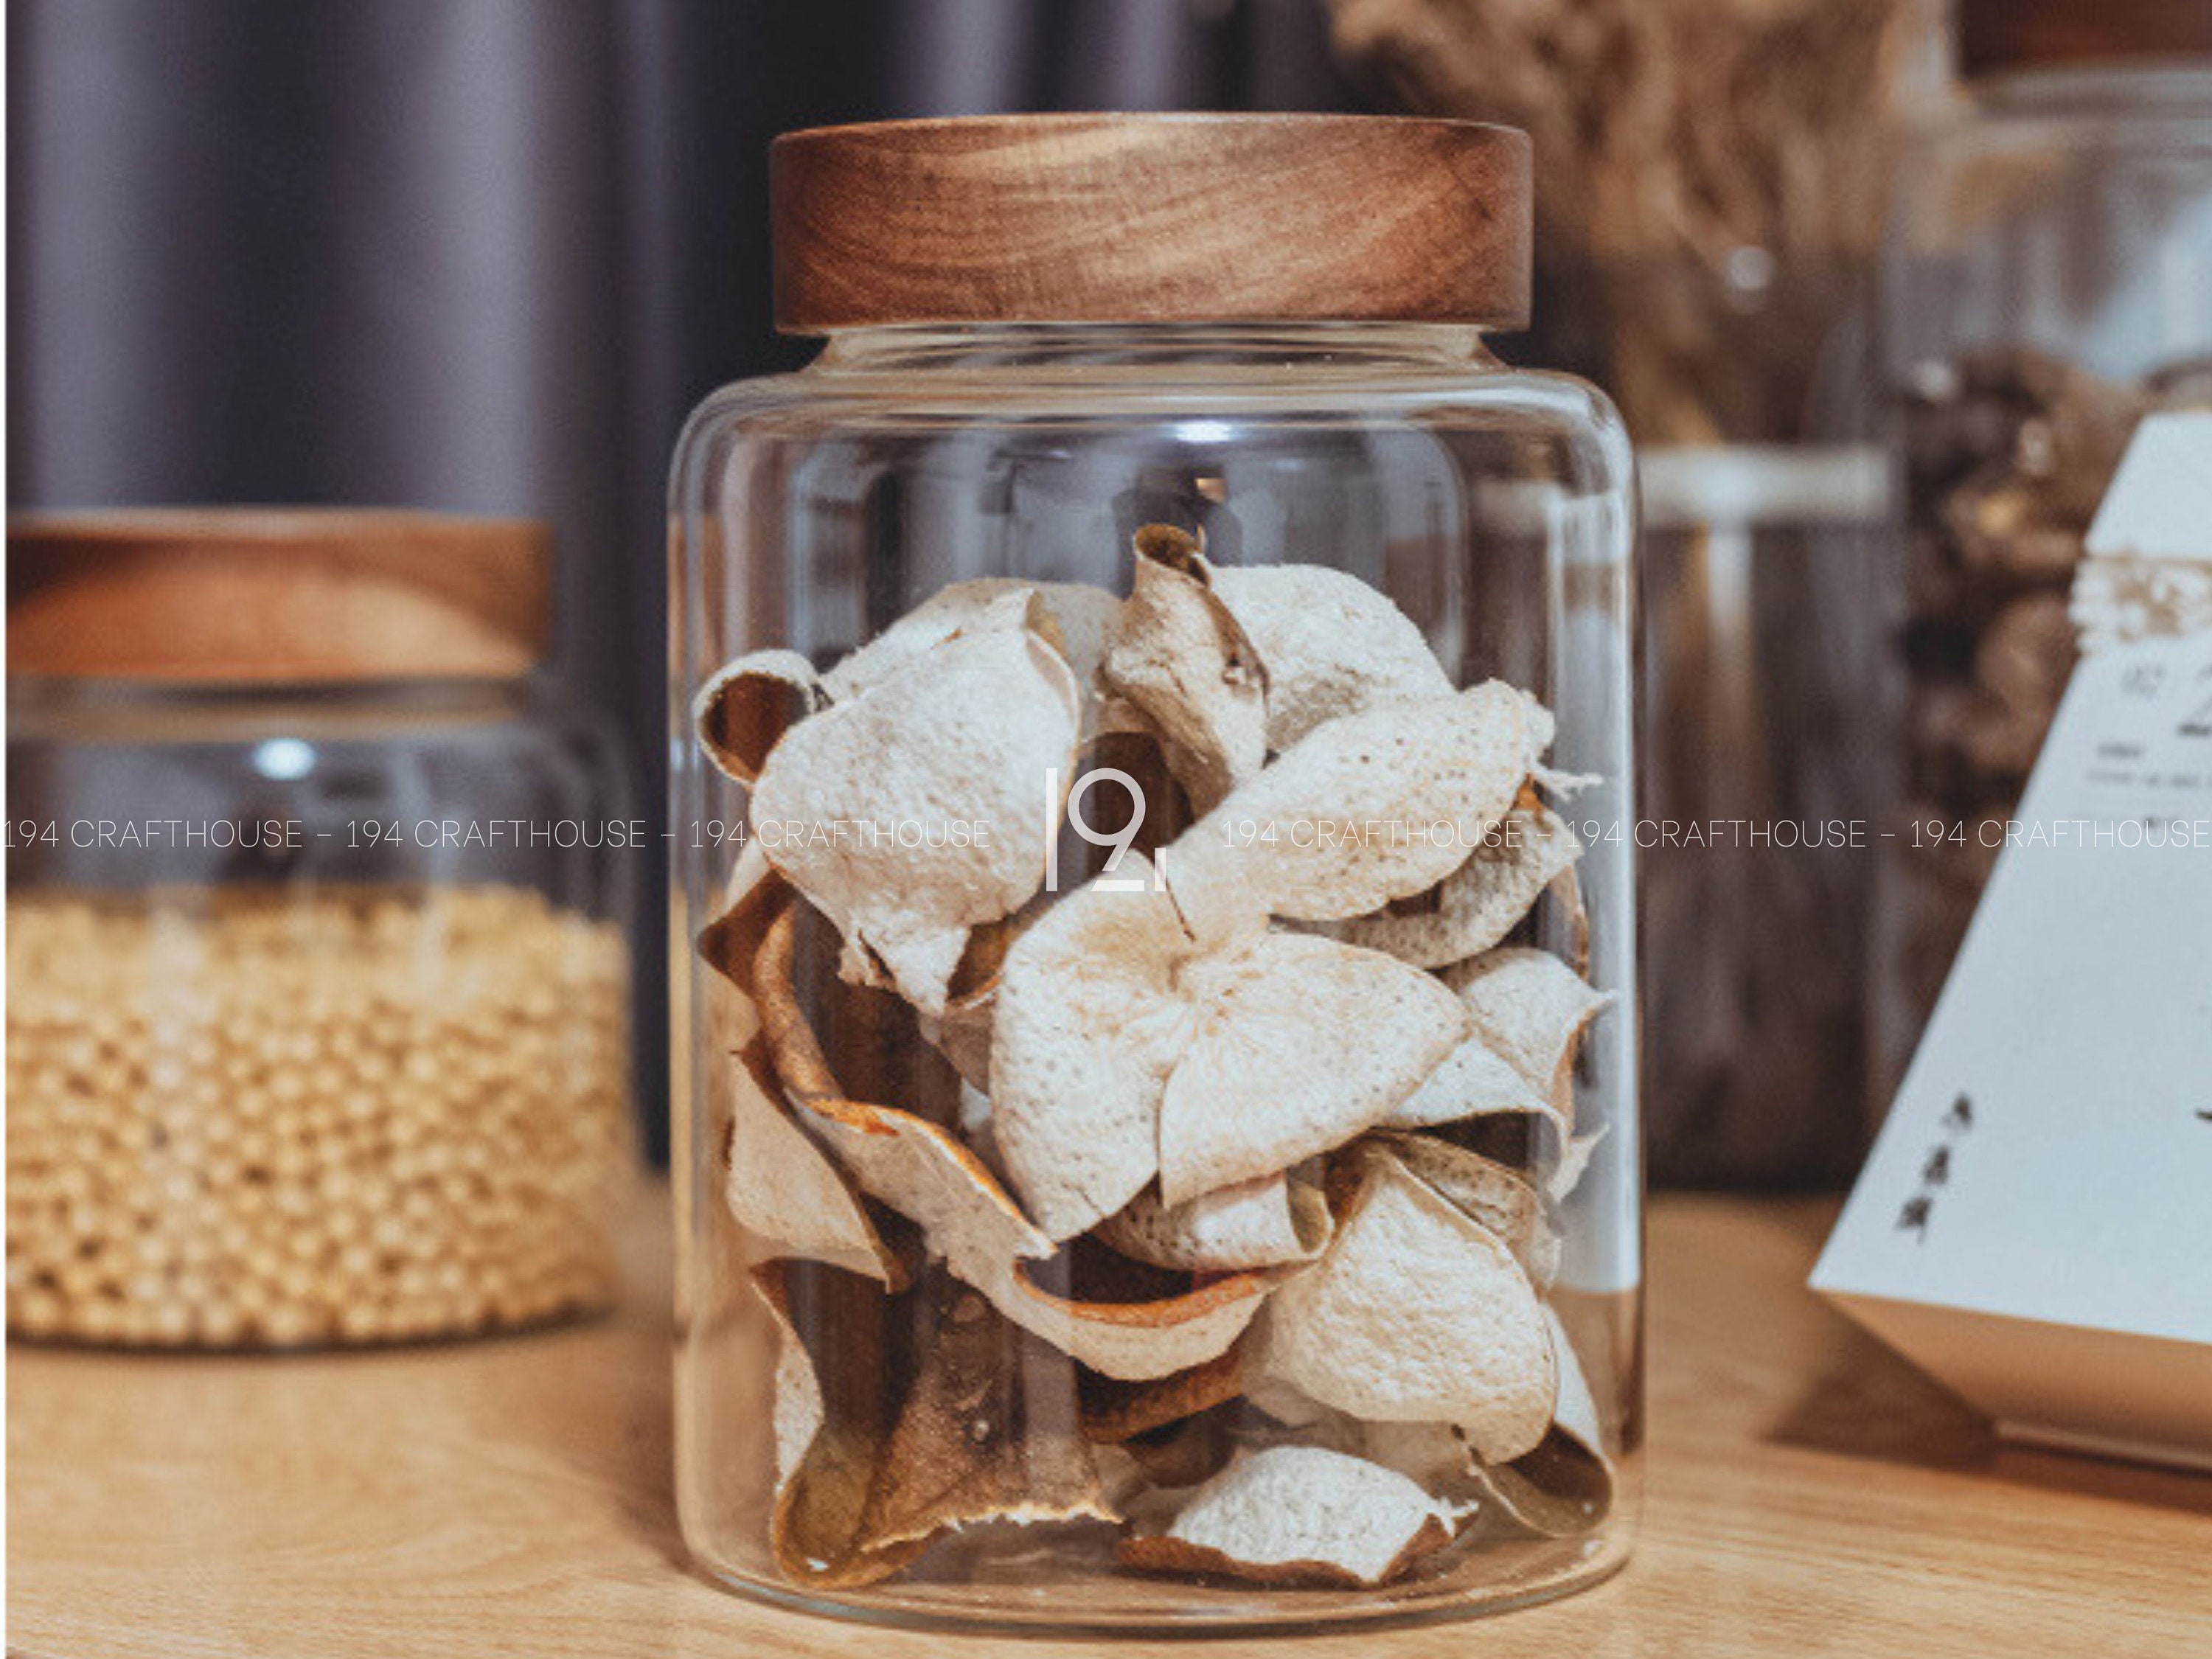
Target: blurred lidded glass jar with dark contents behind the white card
[{"x": 2047, "y": 282}]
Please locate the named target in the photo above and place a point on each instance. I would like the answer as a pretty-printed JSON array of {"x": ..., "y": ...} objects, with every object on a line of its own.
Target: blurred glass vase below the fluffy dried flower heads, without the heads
[{"x": 1766, "y": 680}]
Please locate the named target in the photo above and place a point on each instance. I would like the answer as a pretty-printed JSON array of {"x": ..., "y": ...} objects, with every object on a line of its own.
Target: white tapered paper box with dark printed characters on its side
[{"x": 2036, "y": 1220}]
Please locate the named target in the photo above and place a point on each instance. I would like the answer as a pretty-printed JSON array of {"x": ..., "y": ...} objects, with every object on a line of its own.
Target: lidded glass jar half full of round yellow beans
[{"x": 317, "y": 988}]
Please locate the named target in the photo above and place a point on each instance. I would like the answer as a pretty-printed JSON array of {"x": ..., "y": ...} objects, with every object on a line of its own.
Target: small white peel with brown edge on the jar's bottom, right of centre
[{"x": 1300, "y": 1516}]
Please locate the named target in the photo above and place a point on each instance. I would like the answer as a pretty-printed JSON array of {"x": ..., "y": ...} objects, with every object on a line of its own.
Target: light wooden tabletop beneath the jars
[{"x": 1808, "y": 1494}]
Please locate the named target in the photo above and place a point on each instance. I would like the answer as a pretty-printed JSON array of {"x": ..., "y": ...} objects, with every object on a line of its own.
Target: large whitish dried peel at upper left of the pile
[{"x": 966, "y": 735}]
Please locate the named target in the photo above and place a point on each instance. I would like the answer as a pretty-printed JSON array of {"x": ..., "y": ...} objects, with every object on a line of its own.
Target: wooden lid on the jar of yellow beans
[{"x": 275, "y": 596}]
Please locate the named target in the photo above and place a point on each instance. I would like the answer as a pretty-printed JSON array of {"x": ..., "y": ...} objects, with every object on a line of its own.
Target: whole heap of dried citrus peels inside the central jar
[{"x": 1218, "y": 1043}]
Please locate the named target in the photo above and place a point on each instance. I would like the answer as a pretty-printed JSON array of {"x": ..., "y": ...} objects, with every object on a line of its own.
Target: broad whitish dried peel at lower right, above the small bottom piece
[{"x": 1417, "y": 1315}]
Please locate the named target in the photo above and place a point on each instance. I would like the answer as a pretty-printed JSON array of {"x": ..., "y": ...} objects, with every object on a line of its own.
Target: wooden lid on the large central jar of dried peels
[{"x": 1151, "y": 220}]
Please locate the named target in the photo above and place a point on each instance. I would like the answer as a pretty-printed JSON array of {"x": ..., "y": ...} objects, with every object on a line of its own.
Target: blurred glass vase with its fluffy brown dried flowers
[{"x": 1711, "y": 187}]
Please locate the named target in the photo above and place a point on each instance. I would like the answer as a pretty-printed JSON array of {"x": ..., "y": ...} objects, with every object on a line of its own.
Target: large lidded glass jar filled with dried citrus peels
[{"x": 1154, "y": 791}]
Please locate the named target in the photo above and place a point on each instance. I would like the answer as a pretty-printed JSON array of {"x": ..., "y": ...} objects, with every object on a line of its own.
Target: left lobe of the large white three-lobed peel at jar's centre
[{"x": 1085, "y": 1030}]
